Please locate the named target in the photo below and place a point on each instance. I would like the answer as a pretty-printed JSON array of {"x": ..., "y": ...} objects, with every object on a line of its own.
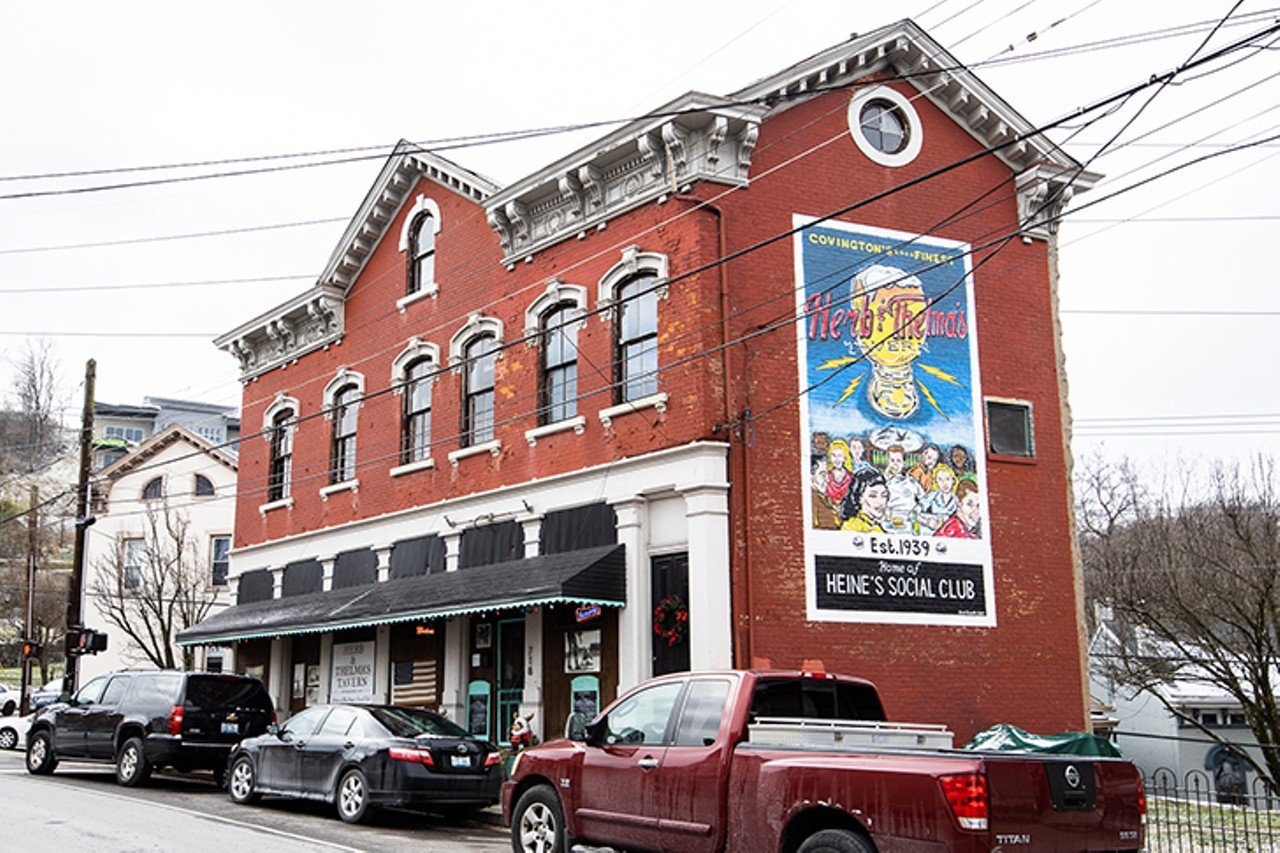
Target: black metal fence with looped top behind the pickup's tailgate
[{"x": 1197, "y": 814}]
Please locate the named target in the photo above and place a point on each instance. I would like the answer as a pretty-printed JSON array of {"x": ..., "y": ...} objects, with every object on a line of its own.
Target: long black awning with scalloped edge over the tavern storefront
[{"x": 591, "y": 576}]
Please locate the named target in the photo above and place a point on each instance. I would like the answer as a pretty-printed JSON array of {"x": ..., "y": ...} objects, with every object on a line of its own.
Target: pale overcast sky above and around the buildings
[{"x": 1168, "y": 293}]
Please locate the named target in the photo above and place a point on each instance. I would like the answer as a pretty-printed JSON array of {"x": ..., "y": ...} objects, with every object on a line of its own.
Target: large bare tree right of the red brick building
[{"x": 1191, "y": 577}]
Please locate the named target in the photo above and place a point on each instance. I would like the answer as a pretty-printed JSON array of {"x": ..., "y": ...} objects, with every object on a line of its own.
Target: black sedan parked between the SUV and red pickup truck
[{"x": 365, "y": 756}]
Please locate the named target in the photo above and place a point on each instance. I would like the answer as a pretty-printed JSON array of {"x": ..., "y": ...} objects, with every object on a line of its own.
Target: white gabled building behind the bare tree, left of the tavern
[{"x": 173, "y": 472}]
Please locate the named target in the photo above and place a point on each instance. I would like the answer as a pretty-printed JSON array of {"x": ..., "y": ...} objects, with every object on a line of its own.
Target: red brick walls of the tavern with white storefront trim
[{"x": 728, "y": 386}]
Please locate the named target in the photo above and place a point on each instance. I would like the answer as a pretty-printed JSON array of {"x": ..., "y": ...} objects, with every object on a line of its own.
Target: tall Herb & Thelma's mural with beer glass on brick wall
[{"x": 897, "y": 523}]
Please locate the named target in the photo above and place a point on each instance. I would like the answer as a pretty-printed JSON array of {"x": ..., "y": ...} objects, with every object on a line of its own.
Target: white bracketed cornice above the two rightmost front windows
[{"x": 693, "y": 139}]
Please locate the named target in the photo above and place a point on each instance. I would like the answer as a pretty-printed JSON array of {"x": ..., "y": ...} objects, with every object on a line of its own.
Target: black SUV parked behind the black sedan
[{"x": 140, "y": 722}]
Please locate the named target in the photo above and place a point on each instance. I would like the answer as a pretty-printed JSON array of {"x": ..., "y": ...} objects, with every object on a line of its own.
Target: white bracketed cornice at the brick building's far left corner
[{"x": 309, "y": 322}]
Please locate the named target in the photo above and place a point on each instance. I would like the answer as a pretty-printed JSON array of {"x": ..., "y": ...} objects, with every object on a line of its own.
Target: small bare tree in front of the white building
[{"x": 159, "y": 591}]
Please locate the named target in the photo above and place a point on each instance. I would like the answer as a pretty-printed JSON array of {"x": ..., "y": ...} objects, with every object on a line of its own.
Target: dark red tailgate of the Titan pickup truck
[{"x": 1063, "y": 804}]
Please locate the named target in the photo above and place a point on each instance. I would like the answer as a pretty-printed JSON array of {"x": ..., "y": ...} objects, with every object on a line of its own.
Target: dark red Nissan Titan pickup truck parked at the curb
[{"x": 804, "y": 763}]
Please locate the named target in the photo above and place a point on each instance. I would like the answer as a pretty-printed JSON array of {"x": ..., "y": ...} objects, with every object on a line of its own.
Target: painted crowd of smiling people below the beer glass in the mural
[{"x": 930, "y": 499}]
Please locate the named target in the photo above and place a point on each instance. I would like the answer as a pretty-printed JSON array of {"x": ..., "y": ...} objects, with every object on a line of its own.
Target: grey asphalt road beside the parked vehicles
[{"x": 83, "y": 809}]
